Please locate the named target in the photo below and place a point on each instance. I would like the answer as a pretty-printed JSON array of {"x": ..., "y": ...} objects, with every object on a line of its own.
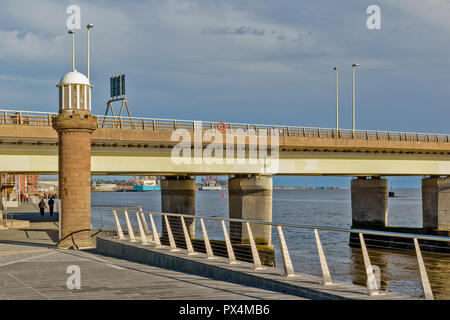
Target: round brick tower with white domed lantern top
[{"x": 75, "y": 125}]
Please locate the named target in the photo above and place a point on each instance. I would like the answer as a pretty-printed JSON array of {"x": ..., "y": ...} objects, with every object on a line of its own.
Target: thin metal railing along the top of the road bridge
[{"x": 33, "y": 118}]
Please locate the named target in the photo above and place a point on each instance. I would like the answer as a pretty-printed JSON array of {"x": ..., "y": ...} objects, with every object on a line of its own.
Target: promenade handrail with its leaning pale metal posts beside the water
[{"x": 170, "y": 224}]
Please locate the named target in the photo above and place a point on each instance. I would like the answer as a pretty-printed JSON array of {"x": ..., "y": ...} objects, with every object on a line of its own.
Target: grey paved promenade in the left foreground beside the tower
[{"x": 30, "y": 268}]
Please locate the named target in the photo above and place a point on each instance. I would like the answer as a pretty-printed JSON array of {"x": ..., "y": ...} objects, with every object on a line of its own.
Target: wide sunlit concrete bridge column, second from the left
[{"x": 250, "y": 198}]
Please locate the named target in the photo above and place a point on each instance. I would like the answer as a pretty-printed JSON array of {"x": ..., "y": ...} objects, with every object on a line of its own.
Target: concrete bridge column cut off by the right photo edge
[{"x": 436, "y": 203}]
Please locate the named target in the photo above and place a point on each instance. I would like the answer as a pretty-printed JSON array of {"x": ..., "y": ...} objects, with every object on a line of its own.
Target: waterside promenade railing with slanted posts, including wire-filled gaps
[{"x": 234, "y": 239}]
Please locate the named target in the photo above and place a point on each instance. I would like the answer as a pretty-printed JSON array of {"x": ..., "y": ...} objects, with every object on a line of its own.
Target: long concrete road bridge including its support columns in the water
[{"x": 251, "y": 154}]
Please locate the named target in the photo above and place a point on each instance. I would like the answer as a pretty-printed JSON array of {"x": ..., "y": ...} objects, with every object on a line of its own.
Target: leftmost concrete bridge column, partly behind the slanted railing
[{"x": 178, "y": 196}]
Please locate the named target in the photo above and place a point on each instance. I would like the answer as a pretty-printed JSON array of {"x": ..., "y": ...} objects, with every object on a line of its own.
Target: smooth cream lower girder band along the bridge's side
[{"x": 301, "y": 163}]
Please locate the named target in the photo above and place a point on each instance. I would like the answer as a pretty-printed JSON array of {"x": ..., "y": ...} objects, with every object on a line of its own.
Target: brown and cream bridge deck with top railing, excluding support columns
[{"x": 144, "y": 147}]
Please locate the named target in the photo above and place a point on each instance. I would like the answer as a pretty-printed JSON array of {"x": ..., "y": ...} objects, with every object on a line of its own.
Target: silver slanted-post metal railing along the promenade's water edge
[{"x": 175, "y": 230}]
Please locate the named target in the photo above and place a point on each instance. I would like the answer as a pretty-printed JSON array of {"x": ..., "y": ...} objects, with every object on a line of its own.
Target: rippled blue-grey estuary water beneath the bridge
[{"x": 323, "y": 207}]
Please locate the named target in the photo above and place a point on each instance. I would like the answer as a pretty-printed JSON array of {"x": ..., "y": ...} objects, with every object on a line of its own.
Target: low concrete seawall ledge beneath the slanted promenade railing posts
[{"x": 305, "y": 286}]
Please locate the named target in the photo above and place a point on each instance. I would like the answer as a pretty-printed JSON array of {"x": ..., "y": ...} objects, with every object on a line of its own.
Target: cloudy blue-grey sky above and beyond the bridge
[{"x": 255, "y": 61}]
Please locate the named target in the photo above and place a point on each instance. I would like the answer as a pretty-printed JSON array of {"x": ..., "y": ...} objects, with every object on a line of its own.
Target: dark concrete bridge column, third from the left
[{"x": 369, "y": 202}]
